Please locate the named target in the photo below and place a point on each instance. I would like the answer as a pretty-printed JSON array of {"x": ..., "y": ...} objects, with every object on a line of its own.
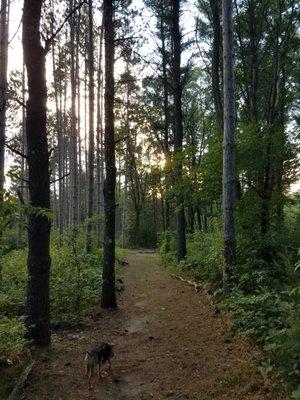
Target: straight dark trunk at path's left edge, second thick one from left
[{"x": 108, "y": 276}]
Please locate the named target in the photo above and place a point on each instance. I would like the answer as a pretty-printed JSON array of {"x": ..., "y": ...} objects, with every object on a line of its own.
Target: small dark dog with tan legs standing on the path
[{"x": 98, "y": 356}]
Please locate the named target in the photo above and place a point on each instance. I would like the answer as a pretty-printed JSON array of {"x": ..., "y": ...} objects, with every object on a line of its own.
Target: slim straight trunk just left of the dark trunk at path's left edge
[{"x": 91, "y": 155}]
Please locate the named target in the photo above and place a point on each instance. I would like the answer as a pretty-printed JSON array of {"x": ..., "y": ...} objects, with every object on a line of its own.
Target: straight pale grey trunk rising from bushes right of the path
[{"x": 228, "y": 144}]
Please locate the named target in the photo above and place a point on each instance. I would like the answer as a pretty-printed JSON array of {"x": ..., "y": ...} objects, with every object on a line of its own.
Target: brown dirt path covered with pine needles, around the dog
[{"x": 169, "y": 345}]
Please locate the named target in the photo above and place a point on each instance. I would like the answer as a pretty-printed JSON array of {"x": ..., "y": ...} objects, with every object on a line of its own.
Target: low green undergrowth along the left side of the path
[{"x": 75, "y": 285}]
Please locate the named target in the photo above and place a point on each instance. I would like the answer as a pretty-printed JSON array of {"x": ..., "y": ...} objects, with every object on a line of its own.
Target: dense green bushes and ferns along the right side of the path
[{"x": 265, "y": 296}]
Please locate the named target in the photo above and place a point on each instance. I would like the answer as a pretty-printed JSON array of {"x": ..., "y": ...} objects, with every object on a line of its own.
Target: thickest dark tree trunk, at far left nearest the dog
[{"x": 38, "y": 306}]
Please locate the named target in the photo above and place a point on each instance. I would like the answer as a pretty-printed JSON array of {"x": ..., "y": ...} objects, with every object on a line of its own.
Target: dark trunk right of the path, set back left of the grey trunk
[{"x": 178, "y": 130}]
